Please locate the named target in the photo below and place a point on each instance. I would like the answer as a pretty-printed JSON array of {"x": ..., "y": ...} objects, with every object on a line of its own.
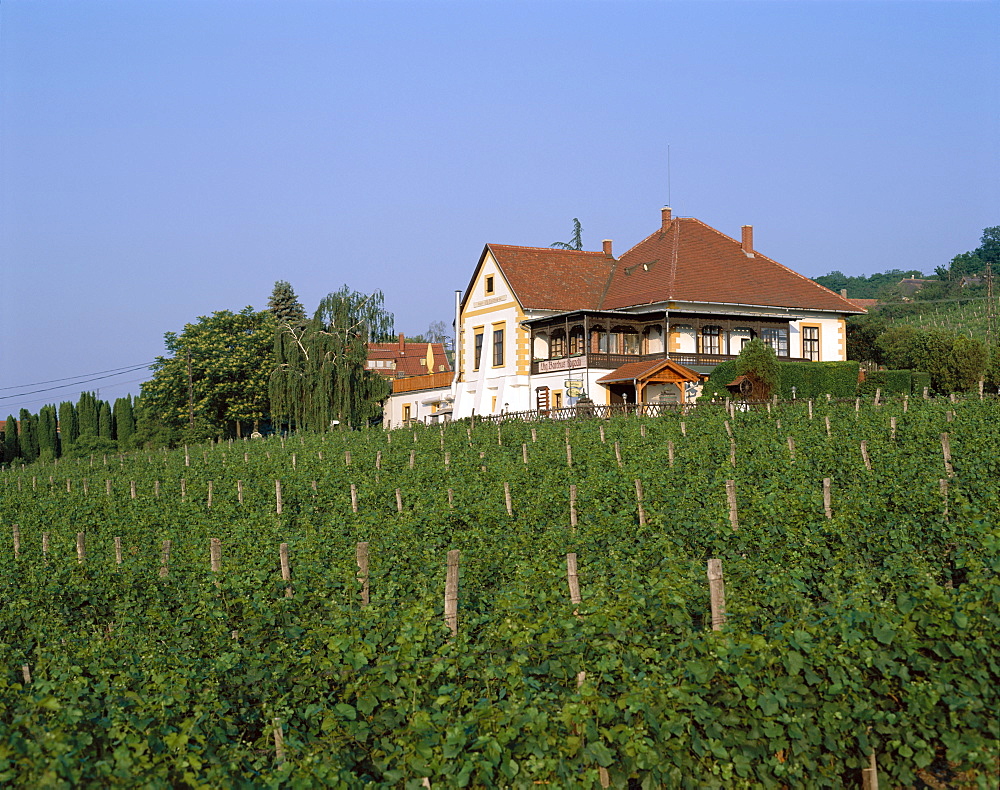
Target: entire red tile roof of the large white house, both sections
[{"x": 684, "y": 261}]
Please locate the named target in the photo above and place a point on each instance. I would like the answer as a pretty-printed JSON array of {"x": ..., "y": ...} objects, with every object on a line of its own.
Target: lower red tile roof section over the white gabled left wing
[{"x": 552, "y": 279}]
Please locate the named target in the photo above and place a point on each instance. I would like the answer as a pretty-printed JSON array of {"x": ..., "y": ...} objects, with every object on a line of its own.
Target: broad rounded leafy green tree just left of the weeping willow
[{"x": 215, "y": 380}]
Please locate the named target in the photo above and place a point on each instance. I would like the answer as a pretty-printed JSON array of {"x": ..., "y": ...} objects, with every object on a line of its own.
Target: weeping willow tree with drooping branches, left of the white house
[{"x": 320, "y": 373}]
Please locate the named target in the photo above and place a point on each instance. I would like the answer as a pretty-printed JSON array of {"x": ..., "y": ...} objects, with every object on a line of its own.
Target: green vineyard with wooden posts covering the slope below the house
[{"x": 516, "y": 605}]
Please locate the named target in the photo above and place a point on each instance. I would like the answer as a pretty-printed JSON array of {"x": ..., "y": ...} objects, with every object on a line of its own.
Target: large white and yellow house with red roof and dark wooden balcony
[{"x": 545, "y": 326}]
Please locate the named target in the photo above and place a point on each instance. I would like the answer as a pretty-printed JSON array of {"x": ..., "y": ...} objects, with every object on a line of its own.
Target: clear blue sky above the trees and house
[{"x": 163, "y": 160}]
